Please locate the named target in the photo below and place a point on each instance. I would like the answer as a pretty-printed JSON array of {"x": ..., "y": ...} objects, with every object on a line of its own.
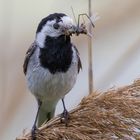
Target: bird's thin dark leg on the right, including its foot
[{"x": 65, "y": 114}]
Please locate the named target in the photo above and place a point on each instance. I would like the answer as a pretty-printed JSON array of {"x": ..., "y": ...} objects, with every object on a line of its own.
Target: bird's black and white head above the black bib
[{"x": 54, "y": 25}]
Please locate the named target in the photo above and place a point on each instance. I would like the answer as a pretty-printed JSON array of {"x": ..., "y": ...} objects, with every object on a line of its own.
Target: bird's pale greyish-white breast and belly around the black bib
[{"x": 47, "y": 86}]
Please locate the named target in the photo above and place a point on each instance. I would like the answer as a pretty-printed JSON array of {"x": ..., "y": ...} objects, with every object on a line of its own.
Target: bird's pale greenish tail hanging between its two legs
[{"x": 46, "y": 112}]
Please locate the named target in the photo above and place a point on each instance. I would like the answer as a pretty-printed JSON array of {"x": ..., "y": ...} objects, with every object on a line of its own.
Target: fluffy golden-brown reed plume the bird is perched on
[{"x": 111, "y": 115}]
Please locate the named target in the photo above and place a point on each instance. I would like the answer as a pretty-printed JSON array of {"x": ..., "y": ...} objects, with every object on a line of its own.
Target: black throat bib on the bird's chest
[{"x": 57, "y": 54}]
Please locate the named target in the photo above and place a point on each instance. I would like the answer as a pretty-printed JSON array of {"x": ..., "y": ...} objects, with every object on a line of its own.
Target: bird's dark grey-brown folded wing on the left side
[{"x": 29, "y": 53}]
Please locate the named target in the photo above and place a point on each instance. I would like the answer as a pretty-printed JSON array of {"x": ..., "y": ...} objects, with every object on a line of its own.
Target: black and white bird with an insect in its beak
[{"x": 51, "y": 65}]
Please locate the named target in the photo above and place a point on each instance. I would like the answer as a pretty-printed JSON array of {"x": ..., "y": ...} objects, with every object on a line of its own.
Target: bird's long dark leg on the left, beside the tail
[{"x": 34, "y": 128}]
